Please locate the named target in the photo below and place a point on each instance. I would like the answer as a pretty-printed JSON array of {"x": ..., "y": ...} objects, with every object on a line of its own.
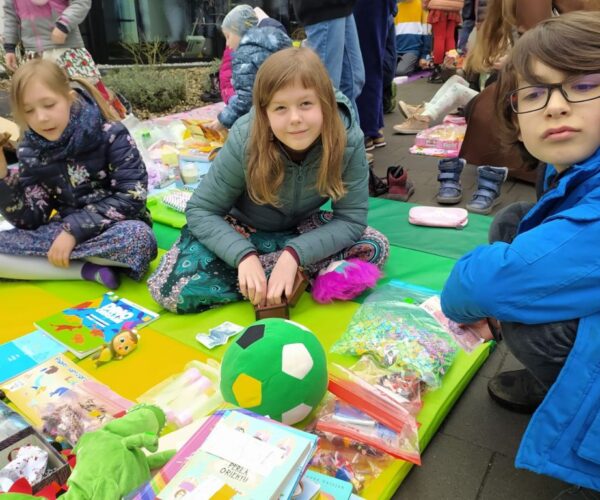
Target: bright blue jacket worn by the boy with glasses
[{"x": 550, "y": 272}]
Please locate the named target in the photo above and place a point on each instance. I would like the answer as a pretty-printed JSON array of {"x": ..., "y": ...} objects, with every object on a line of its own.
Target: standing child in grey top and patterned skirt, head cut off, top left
[{"x": 50, "y": 29}]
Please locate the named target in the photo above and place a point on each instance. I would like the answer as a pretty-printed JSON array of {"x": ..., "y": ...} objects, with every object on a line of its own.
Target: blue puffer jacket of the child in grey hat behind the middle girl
[{"x": 255, "y": 46}]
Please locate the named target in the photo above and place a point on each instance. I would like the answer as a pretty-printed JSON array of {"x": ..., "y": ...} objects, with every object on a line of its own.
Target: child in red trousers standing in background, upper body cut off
[{"x": 444, "y": 16}]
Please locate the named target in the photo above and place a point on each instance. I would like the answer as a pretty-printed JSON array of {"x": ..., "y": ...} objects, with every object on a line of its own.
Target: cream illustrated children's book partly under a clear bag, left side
[{"x": 58, "y": 383}]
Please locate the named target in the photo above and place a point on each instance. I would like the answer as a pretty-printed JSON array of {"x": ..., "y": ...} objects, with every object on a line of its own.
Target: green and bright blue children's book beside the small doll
[{"x": 84, "y": 328}]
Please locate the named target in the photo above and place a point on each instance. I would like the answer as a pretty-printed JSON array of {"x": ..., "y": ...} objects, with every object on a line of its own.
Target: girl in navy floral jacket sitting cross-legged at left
[{"x": 76, "y": 162}]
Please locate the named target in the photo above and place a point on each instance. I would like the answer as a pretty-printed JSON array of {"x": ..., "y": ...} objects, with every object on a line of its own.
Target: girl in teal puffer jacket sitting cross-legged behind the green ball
[{"x": 255, "y": 218}]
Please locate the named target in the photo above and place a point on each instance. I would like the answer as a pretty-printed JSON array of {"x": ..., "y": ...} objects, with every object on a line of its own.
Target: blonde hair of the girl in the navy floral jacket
[{"x": 56, "y": 79}]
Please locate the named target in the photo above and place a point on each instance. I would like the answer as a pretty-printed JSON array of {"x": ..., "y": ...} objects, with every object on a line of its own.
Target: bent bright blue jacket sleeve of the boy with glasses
[{"x": 549, "y": 273}]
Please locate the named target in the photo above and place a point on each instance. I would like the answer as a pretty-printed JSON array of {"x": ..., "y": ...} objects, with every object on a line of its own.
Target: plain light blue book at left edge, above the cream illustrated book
[{"x": 25, "y": 352}]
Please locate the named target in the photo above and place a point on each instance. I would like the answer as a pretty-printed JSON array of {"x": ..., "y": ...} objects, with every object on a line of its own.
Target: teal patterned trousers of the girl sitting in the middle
[{"x": 190, "y": 278}]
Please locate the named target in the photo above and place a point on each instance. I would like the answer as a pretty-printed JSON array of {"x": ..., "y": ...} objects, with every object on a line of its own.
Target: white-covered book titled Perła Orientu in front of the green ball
[{"x": 243, "y": 455}]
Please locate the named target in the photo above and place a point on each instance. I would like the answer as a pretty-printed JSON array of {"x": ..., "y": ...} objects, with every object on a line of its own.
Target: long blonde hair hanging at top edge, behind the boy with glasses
[{"x": 494, "y": 37}]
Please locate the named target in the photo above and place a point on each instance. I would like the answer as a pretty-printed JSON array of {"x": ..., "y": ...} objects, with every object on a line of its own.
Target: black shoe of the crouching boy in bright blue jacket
[{"x": 517, "y": 391}]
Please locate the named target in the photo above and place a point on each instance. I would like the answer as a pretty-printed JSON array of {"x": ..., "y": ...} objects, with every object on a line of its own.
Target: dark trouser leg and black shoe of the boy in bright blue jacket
[{"x": 542, "y": 349}]
